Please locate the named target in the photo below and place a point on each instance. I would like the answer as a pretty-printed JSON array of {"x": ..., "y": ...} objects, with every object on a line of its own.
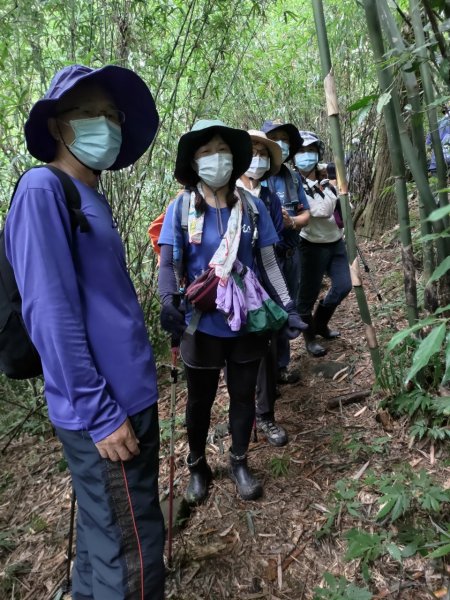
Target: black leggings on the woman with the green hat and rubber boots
[{"x": 202, "y": 388}]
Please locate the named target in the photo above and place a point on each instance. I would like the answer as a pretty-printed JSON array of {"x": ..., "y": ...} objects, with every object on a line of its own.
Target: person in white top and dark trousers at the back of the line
[{"x": 322, "y": 248}]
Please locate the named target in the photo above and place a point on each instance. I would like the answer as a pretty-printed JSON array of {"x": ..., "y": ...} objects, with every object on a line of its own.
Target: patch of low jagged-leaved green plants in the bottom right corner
[{"x": 410, "y": 500}]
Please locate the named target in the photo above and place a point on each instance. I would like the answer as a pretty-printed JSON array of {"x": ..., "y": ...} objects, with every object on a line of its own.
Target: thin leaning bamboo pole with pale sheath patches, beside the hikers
[{"x": 338, "y": 152}]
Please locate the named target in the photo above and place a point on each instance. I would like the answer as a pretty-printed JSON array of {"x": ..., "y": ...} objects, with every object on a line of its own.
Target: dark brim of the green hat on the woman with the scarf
[{"x": 238, "y": 140}]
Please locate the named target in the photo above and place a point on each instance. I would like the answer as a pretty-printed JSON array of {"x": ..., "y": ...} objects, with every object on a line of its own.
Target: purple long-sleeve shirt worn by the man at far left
[{"x": 80, "y": 307}]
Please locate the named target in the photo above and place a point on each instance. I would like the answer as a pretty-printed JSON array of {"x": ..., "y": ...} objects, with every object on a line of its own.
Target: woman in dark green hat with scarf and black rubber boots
[{"x": 219, "y": 229}]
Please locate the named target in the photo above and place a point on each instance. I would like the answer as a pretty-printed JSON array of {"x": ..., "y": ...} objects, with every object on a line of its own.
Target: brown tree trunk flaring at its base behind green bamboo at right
[{"x": 380, "y": 213}]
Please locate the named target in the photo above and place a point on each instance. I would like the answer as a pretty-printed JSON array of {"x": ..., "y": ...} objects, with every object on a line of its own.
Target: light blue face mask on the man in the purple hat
[{"x": 97, "y": 142}]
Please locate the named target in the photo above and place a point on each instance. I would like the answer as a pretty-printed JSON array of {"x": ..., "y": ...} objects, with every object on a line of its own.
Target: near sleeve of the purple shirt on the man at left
[{"x": 39, "y": 246}]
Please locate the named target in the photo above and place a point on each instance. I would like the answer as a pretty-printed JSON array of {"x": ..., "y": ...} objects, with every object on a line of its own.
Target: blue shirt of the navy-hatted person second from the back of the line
[{"x": 289, "y": 238}]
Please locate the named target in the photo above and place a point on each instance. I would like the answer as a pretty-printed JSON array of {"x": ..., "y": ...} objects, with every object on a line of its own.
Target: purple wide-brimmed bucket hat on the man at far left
[{"x": 131, "y": 95}]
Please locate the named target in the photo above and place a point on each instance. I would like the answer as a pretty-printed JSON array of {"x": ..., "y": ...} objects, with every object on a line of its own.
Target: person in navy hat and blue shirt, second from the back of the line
[{"x": 288, "y": 186}]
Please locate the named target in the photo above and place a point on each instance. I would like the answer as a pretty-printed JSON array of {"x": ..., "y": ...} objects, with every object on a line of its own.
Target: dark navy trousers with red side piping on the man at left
[{"x": 120, "y": 528}]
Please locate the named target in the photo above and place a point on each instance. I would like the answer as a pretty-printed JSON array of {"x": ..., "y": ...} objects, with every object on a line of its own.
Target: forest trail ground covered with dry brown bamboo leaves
[{"x": 267, "y": 549}]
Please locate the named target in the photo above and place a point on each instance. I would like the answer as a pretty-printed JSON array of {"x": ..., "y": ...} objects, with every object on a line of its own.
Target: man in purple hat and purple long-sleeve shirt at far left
[{"x": 81, "y": 311}]
